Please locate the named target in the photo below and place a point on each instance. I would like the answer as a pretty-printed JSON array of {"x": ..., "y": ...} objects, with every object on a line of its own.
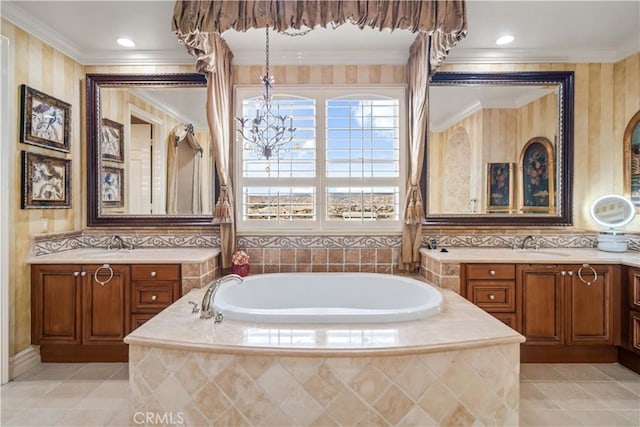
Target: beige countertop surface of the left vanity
[{"x": 125, "y": 256}]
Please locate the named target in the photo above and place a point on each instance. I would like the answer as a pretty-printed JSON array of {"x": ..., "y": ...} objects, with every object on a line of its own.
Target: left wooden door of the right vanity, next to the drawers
[{"x": 540, "y": 303}]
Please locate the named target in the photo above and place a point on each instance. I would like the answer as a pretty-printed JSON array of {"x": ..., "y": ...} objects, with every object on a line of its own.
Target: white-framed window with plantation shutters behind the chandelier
[{"x": 344, "y": 169}]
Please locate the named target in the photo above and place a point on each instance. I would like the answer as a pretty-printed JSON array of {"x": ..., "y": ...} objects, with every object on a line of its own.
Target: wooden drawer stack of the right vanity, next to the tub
[{"x": 492, "y": 287}]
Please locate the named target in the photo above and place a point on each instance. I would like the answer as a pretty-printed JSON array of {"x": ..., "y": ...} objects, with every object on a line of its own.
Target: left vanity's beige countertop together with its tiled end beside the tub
[{"x": 199, "y": 266}]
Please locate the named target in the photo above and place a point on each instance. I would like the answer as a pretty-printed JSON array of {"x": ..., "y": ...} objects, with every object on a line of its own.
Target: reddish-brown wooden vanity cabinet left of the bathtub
[{"x": 75, "y": 318}]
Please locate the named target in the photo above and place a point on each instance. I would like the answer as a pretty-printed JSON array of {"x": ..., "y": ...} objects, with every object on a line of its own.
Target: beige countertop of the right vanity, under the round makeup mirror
[{"x": 530, "y": 256}]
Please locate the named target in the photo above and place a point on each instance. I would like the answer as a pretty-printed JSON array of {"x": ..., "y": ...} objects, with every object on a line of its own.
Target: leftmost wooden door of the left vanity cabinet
[{"x": 56, "y": 302}]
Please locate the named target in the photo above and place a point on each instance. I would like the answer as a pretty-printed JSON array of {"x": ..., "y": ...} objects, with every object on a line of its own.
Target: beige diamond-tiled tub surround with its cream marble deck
[{"x": 431, "y": 371}]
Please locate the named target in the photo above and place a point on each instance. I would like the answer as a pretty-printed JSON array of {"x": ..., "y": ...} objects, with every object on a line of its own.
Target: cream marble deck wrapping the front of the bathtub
[{"x": 177, "y": 328}]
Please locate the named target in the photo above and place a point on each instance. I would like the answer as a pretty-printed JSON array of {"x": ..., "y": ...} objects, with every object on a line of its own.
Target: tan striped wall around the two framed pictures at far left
[{"x": 45, "y": 69}]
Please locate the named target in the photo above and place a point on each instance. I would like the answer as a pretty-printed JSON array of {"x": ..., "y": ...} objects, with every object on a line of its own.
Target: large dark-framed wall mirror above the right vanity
[{"x": 497, "y": 114}]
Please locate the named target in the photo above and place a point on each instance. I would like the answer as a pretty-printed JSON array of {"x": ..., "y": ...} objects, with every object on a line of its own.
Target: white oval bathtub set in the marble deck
[{"x": 327, "y": 298}]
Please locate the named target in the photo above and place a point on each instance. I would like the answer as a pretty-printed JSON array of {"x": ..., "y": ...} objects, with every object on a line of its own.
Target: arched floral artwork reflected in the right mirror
[{"x": 537, "y": 176}]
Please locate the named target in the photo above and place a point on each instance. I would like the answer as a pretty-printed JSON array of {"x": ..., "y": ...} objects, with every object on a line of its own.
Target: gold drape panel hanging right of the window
[{"x": 417, "y": 79}]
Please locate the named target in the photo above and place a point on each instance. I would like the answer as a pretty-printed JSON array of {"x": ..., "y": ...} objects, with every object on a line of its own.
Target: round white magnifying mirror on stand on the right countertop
[{"x": 612, "y": 212}]
